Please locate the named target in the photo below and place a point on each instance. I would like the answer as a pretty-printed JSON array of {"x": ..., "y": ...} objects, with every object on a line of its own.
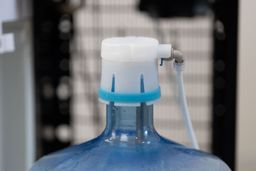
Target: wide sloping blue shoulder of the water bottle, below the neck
[{"x": 99, "y": 155}]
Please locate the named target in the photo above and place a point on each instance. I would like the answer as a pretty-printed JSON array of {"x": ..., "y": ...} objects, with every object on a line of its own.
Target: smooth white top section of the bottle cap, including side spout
[{"x": 133, "y": 49}]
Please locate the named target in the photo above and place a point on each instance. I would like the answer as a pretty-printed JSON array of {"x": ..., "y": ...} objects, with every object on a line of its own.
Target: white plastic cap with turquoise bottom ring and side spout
[{"x": 130, "y": 69}]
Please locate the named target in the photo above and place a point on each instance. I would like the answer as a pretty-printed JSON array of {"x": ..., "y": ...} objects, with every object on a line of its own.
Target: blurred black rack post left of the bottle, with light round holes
[{"x": 52, "y": 32}]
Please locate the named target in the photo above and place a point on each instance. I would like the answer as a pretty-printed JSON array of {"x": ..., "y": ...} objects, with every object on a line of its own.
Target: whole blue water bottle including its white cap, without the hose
[{"x": 129, "y": 87}]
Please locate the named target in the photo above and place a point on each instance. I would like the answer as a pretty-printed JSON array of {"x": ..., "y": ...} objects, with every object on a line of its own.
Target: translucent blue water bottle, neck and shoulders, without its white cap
[{"x": 129, "y": 143}]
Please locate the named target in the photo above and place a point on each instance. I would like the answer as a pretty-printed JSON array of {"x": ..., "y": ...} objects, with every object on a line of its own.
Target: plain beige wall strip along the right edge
[{"x": 246, "y": 147}]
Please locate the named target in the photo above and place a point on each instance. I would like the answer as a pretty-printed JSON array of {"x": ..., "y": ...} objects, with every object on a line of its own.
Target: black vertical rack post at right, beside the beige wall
[{"x": 225, "y": 80}]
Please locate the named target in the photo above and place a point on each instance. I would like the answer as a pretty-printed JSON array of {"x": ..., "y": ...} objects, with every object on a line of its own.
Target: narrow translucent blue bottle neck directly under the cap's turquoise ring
[{"x": 130, "y": 124}]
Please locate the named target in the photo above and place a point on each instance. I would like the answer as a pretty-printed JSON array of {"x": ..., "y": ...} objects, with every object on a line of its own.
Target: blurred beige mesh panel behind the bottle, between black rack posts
[{"x": 100, "y": 19}]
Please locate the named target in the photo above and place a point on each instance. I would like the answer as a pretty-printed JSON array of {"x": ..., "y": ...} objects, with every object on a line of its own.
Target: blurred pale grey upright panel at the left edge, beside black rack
[{"x": 17, "y": 102}]
